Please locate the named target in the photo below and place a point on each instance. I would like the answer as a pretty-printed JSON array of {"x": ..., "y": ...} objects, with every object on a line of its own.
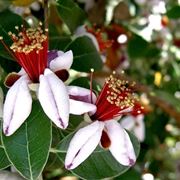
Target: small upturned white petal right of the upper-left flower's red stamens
[{"x": 63, "y": 61}]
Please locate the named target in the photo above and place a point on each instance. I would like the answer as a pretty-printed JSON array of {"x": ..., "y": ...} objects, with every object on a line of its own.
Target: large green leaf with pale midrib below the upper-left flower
[{"x": 28, "y": 147}]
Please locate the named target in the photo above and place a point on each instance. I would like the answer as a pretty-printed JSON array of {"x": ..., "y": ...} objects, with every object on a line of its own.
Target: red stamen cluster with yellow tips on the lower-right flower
[{"x": 115, "y": 98}]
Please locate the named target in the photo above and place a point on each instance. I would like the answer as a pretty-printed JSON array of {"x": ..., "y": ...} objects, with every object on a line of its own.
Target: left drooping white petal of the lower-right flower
[{"x": 83, "y": 144}]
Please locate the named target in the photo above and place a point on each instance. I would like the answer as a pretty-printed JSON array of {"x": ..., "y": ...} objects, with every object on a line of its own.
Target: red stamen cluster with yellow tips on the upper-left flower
[{"x": 30, "y": 49}]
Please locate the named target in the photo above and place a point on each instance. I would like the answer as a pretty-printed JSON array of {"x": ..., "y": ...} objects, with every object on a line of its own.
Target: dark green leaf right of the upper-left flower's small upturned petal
[{"x": 85, "y": 55}]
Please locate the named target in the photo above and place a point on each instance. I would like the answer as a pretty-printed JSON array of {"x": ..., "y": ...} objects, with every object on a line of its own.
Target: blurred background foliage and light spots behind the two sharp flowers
[{"x": 145, "y": 40}]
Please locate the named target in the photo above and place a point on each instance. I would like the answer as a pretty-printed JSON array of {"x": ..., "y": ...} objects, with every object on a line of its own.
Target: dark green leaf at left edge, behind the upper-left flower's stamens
[{"x": 8, "y": 24}]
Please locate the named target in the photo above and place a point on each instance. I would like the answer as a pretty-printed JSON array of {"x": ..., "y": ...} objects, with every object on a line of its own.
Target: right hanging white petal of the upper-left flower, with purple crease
[{"x": 54, "y": 98}]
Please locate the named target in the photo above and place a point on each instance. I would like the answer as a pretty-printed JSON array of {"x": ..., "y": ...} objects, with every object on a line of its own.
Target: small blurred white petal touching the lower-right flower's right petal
[{"x": 128, "y": 122}]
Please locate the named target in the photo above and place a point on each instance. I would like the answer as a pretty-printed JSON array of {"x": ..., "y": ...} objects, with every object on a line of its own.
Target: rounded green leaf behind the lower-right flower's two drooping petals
[{"x": 101, "y": 164}]
